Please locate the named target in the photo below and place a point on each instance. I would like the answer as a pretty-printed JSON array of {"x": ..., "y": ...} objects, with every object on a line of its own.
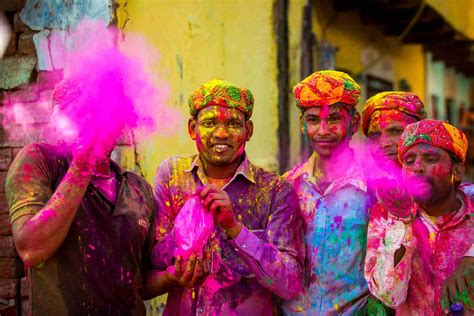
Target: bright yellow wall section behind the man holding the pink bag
[{"x": 201, "y": 40}]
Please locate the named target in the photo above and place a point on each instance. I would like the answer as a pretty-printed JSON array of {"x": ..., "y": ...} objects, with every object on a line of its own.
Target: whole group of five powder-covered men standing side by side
[{"x": 380, "y": 229}]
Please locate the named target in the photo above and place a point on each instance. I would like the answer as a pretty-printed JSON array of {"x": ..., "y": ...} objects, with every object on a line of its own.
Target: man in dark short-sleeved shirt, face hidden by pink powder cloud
[{"x": 82, "y": 225}]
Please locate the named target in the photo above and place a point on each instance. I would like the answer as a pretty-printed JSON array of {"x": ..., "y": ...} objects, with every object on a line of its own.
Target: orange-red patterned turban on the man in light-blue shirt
[{"x": 326, "y": 87}]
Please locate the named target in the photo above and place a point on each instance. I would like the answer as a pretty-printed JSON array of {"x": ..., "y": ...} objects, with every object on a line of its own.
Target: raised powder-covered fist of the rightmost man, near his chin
[{"x": 395, "y": 198}]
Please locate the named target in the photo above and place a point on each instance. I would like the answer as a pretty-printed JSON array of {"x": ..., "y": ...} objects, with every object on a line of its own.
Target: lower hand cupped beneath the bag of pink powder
[{"x": 193, "y": 274}]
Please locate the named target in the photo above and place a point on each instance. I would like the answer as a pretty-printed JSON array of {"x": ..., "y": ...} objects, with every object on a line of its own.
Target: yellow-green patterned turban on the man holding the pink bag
[{"x": 222, "y": 93}]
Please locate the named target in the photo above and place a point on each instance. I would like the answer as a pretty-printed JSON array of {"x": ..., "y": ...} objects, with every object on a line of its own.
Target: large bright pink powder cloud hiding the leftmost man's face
[{"x": 116, "y": 91}]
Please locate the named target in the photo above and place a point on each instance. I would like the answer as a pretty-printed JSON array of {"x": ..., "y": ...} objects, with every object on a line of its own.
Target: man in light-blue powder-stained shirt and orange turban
[{"x": 333, "y": 197}]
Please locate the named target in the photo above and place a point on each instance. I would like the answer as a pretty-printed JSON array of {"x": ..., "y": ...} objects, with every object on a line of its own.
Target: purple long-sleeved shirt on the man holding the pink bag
[{"x": 250, "y": 273}]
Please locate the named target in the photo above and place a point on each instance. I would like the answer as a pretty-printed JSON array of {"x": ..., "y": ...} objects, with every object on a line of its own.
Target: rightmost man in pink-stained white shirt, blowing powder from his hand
[{"x": 420, "y": 239}]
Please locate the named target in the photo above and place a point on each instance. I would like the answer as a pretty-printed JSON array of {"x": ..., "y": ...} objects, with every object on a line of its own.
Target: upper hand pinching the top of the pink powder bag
[{"x": 217, "y": 201}]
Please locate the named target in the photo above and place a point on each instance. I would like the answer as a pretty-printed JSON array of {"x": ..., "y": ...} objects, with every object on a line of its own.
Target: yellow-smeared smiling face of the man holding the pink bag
[{"x": 220, "y": 134}]
